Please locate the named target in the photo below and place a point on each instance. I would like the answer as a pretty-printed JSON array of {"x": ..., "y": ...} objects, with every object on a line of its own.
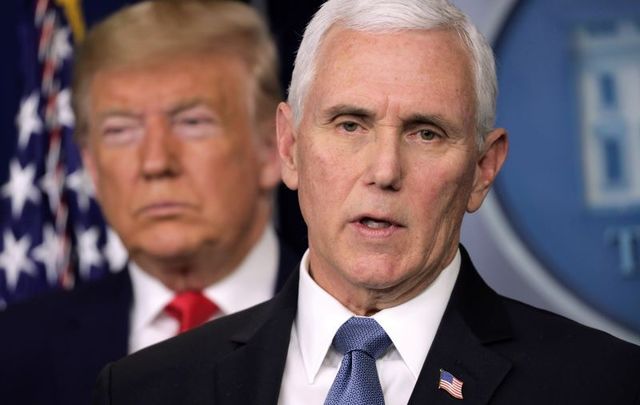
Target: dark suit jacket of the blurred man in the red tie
[{"x": 52, "y": 348}]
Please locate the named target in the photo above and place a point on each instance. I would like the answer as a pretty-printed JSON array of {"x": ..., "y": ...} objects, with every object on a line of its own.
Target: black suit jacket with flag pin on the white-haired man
[{"x": 504, "y": 351}]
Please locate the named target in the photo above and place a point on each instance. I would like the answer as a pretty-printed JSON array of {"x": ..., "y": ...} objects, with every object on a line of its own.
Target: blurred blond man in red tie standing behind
[{"x": 175, "y": 104}]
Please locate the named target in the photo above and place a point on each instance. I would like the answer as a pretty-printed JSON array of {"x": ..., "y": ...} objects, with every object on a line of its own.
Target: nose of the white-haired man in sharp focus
[{"x": 385, "y": 161}]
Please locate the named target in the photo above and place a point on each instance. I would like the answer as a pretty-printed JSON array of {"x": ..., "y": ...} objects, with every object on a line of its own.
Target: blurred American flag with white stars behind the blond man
[{"x": 52, "y": 232}]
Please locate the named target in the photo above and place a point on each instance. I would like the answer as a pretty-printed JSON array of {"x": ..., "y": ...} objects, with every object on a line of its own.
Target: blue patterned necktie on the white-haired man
[{"x": 361, "y": 341}]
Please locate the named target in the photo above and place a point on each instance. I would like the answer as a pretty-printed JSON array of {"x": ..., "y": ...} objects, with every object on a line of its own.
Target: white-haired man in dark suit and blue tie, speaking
[{"x": 388, "y": 136}]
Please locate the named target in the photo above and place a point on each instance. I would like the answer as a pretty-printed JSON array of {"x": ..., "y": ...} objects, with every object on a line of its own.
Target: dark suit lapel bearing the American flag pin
[{"x": 474, "y": 318}]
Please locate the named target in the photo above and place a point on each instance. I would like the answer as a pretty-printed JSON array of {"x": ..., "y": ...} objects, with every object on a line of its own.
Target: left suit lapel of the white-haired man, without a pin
[{"x": 252, "y": 374}]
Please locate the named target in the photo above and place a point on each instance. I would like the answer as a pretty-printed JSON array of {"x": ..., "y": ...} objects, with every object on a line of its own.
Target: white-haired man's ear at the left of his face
[{"x": 285, "y": 128}]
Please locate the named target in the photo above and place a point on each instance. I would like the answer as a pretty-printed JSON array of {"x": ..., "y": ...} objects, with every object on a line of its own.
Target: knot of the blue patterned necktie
[{"x": 363, "y": 334}]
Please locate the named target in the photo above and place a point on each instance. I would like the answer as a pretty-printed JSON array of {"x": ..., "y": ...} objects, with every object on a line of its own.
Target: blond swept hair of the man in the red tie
[{"x": 153, "y": 31}]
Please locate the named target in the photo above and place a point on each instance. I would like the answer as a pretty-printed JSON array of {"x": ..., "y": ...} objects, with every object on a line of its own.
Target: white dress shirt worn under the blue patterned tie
[{"x": 312, "y": 363}]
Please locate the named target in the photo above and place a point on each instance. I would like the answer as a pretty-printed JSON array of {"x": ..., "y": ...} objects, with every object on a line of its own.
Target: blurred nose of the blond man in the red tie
[{"x": 159, "y": 150}]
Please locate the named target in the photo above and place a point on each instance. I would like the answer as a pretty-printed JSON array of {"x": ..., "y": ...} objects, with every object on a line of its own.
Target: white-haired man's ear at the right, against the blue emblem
[{"x": 491, "y": 159}]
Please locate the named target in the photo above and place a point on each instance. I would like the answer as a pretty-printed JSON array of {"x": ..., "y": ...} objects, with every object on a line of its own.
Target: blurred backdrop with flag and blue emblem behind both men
[{"x": 561, "y": 230}]
